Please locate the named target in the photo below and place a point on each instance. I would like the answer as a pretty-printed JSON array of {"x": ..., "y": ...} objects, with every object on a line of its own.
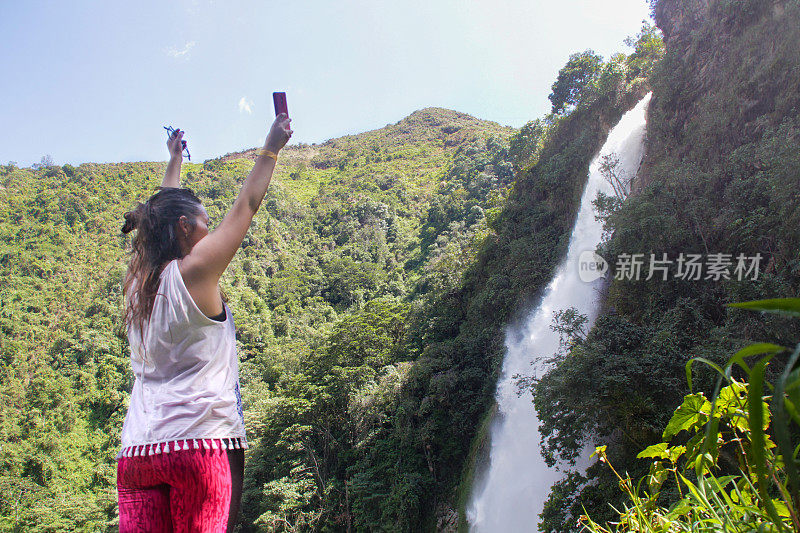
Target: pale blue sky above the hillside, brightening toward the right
[{"x": 96, "y": 81}]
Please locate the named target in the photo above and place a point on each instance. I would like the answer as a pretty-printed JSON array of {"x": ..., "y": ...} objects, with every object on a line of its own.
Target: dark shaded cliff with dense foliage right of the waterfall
[{"x": 719, "y": 176}]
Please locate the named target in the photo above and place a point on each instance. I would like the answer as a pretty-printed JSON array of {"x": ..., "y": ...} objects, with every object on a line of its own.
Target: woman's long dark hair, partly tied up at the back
[{"x": 155, "y": 244}]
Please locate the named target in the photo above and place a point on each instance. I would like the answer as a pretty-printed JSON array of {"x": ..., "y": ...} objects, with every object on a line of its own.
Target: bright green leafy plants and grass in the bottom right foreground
[{"x": 738, "y": 470}]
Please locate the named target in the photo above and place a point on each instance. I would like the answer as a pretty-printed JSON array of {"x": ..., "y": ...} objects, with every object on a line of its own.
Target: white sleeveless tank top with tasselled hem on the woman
[{"x": 187, "y": 374}]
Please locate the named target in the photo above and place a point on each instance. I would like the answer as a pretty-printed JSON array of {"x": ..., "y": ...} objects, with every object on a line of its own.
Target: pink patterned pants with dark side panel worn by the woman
[{"x": 195, "y": 490}]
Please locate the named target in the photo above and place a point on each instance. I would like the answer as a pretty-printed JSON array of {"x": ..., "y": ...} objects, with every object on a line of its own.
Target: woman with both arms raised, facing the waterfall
[{"x": 182, "y": 460}]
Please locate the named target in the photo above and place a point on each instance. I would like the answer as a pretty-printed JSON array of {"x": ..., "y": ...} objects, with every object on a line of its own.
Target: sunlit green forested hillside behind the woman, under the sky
[{"x": 350, "y": 229}]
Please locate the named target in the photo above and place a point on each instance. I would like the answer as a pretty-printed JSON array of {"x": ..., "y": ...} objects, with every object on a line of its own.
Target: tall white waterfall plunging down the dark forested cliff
[{"x": 510, "y": 492}]
